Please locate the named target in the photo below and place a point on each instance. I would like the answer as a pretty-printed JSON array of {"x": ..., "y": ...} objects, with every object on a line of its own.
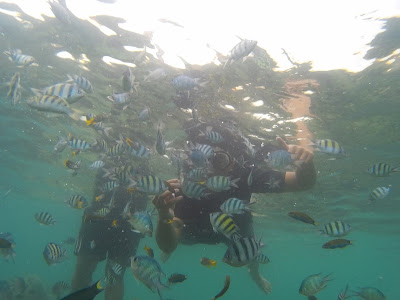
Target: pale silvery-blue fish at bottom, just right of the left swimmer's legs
[{"x": 148, "y": 271}]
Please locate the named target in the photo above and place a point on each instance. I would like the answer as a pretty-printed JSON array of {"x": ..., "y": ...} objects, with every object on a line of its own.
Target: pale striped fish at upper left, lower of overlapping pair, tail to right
[{"x": 55, "y": 104}]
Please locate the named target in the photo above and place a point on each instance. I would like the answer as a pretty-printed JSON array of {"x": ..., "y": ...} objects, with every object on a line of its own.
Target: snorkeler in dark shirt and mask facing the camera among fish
[{"x": 231, "y": 159}]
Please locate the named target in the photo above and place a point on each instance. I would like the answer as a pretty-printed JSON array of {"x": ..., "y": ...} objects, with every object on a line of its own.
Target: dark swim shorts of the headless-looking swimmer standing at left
[{"x": 100, "y": 239}]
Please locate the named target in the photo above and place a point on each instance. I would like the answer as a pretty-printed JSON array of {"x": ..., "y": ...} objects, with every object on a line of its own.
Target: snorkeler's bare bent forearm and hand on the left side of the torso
[{"x": 167, "y": 233}]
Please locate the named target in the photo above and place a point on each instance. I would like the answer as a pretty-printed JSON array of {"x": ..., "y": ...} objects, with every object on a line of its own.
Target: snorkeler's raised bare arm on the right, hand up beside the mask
[{"x": 305, "y": 175}]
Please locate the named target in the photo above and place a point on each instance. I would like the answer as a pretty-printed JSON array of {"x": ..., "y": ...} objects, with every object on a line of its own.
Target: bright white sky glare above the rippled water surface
[{"x": 331, "y": 34}]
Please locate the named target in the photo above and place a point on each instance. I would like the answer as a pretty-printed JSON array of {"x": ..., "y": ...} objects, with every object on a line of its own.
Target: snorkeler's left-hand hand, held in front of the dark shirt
[{"x": 165, "y": 203}]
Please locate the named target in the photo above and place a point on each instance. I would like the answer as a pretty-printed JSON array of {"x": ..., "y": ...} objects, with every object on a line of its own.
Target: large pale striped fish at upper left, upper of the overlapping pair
[{"x": 70, "y": 92}]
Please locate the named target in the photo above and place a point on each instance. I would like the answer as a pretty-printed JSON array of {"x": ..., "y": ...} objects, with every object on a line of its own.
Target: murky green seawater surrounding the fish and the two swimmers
[{"x": 360, "y": 110}]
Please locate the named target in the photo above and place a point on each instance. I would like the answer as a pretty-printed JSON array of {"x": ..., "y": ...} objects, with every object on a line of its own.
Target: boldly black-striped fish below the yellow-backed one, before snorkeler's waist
[{"x": 242, "y": 252}]
